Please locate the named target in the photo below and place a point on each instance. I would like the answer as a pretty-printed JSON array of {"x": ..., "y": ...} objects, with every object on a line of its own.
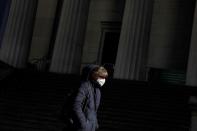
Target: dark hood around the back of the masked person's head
[{"x": 86, "y": 71}]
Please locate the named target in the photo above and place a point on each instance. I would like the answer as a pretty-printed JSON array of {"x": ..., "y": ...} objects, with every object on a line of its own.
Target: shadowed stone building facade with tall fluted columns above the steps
[{"x": 139, "y": 38}]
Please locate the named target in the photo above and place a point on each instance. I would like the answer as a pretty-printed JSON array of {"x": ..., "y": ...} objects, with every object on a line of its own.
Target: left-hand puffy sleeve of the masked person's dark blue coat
[{"x": 77, "y": 106}]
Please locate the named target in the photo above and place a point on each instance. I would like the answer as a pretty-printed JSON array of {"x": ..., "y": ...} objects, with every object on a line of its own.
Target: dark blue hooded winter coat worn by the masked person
[{"x": 86, "y": 103}]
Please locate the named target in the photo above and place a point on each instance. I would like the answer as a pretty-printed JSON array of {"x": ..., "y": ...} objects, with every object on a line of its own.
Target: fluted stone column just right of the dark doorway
[{"x": 133, "y": 44}]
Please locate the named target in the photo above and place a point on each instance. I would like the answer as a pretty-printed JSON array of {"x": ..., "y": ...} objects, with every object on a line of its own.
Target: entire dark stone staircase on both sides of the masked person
[{"x": 31, "y": 101}]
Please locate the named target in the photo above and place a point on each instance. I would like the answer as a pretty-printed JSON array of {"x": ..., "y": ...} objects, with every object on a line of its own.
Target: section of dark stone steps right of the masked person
[{"x": 137, "y": 106}]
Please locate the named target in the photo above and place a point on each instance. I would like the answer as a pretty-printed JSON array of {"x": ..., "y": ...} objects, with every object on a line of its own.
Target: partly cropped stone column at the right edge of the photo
[{"x": 191, "y": 77}]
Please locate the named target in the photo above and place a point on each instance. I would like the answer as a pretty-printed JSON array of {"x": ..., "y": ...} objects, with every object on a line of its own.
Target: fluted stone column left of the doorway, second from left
[{"x": 70, "y": 37}]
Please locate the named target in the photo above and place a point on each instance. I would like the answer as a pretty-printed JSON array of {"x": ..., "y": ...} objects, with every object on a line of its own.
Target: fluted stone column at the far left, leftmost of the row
[{"x": 17, "y": 37}]
